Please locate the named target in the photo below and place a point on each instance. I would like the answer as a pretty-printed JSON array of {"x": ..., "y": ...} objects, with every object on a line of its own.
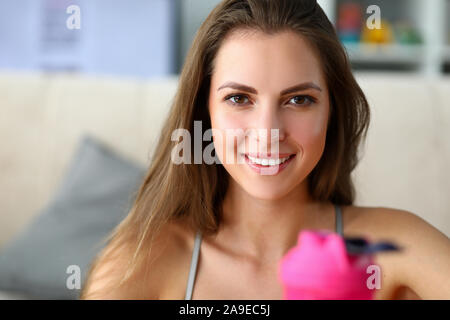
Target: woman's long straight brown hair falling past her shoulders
[{"x": 194, "y": 192}]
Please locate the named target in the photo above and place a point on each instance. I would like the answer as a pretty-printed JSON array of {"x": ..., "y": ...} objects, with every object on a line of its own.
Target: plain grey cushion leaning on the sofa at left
[{"x": 95, "y": 195}]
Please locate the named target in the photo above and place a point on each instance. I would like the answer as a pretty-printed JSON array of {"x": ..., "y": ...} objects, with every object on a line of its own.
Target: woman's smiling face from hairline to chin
[{"x": 268, "y": 82}]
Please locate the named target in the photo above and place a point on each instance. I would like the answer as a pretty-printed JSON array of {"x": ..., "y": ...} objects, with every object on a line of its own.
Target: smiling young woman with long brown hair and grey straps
[{"x": 218, "y": 231}]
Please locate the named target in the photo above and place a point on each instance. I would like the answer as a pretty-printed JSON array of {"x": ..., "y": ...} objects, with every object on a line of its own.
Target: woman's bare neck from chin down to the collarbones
[{"x": 262, "y": 230}]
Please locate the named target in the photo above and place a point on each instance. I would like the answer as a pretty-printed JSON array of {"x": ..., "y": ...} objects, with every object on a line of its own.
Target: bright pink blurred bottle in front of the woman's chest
[{"x": 320, "y": 268}]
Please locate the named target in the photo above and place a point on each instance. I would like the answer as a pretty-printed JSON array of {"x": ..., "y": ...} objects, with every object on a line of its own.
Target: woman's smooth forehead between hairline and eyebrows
[{"x": 261, "y": 59}]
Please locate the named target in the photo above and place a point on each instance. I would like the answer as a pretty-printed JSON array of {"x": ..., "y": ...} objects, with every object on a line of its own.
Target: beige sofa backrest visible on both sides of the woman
[{"x": 405, "y": 165}]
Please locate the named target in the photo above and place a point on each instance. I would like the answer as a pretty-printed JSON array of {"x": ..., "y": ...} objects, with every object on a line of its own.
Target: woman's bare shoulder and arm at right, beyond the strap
[{"x": 422, "y": 268}]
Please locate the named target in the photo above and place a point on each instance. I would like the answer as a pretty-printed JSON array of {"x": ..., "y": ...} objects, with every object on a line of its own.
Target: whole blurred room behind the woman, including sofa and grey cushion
[{"x": 85, "y": 86}]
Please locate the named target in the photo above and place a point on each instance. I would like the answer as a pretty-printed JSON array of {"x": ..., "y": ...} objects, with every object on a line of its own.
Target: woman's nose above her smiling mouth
[{"x": 268, "y": 129}]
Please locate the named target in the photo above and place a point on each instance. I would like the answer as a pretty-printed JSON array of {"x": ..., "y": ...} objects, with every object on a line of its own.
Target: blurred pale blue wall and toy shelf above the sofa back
[{"x": 415, "y": 35}]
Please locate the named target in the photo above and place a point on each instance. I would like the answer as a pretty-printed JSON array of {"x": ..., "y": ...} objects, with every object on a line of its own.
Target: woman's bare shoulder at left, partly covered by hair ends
[{"x": 161, "y": 270}]
